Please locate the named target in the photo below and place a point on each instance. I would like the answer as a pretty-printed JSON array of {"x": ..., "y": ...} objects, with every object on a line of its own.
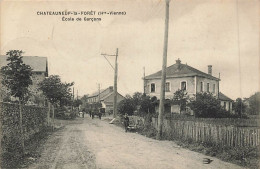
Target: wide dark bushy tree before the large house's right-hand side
[{"x": 206, "y": 105}]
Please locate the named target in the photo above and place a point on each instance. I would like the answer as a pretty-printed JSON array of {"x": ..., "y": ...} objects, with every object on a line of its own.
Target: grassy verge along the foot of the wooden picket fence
[{"x": 244, "y": 156}]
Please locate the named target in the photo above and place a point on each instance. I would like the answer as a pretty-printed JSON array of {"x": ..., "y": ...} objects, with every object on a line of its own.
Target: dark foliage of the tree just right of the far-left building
[{"x": 56, "y": 91}]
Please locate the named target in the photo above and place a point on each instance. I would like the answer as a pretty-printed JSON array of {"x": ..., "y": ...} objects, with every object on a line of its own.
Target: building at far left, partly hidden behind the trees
[{"x": 39, "y": 67}]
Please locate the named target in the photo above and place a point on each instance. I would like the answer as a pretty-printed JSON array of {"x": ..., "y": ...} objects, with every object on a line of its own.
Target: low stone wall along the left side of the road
[{"x": 34, "y": 120}]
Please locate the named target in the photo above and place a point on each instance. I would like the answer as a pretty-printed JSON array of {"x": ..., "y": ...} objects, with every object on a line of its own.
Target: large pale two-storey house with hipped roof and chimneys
[{"x": 181, "y": 76}]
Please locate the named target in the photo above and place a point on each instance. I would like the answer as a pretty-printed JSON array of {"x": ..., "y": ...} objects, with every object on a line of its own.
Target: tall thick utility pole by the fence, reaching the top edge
[{"x": 163, "y": 80}]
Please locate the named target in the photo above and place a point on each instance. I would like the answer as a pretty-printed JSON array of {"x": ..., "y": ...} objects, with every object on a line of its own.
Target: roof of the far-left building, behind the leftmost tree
[{"x": 38, "y": 64}]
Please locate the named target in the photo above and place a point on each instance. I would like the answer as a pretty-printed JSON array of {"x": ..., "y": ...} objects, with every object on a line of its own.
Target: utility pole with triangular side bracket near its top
[{"x": 115, "y": 81}]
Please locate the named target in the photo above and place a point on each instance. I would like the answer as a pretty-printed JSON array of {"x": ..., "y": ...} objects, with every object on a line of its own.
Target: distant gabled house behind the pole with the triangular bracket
[{"x": 105, "y": 97}]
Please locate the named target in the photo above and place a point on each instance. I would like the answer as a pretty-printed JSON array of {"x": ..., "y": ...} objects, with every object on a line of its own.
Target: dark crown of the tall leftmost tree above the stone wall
[{"x": 16, "y": 75}]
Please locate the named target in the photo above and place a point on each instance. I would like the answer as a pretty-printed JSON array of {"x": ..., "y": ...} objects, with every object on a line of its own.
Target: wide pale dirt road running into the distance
[{"x": 97, "y": 144}]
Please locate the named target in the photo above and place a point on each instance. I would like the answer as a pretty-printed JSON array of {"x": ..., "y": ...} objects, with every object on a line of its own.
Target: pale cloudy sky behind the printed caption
[{"x": 201, "y": 33}]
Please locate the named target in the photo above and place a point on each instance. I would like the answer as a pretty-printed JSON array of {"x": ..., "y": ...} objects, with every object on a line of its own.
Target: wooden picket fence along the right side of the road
[{"x": 210, "y": 133}]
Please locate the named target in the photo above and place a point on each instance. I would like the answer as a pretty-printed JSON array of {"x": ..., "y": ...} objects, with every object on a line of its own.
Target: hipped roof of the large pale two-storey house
[{"x": 184, "y": 70}]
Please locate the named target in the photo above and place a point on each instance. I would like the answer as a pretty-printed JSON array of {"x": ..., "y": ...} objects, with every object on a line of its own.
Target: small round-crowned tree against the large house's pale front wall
[{"x": 181, "y": 98}]
